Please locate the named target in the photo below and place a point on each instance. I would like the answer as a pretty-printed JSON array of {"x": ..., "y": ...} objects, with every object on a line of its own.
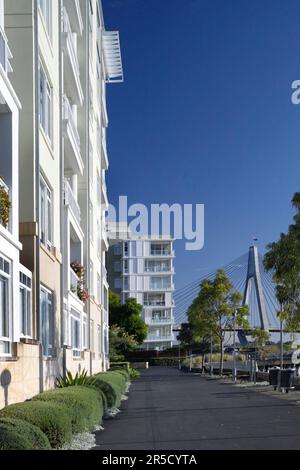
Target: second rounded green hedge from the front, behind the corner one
[{"x": 51, "y": 418}]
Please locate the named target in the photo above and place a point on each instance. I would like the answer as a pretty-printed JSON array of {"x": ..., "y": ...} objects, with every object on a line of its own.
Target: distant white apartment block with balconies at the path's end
[{"x": 143, "y": 268}]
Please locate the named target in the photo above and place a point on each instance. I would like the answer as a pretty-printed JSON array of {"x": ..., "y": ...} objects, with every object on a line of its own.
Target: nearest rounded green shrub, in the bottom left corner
[{"x": 16, "y": 434}]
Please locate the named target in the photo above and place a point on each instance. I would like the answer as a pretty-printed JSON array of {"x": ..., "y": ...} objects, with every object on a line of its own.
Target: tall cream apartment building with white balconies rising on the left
[{"x": 60, "y": 75}]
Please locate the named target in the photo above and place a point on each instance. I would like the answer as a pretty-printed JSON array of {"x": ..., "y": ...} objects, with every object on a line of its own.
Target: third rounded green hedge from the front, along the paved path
[{"x": 85, "y": 405}]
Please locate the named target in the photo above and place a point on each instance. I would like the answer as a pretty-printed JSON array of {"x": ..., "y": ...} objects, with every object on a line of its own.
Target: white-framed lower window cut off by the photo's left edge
[{"x": 5, "y": 306}]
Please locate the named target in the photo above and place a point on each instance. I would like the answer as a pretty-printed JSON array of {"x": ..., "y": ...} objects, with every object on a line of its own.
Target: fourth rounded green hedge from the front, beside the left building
[{"x": 112, "y": 384}]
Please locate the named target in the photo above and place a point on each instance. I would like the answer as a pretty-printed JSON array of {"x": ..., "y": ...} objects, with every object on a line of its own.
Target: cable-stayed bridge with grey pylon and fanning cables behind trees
[{"x": 248, "y": 276}]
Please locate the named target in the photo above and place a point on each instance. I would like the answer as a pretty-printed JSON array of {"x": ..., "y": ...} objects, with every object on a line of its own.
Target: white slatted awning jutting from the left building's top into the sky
[{"x": 112, "y": 57}]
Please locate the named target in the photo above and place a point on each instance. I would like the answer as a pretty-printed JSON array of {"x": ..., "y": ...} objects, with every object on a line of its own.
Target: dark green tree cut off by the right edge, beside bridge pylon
[{"x": 283, "y": 258}]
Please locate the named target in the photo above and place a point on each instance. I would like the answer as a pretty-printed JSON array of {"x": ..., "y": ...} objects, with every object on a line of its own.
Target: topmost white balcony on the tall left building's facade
[{"x": 71, "y": 65}]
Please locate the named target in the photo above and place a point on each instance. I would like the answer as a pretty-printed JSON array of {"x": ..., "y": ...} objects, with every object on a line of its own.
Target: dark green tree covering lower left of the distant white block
[{"x": 128, "y": 317}]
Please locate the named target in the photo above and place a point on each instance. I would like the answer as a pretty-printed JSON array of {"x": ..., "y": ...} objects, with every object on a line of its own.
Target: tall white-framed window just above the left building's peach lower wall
[{"x": 45, "y": 214}]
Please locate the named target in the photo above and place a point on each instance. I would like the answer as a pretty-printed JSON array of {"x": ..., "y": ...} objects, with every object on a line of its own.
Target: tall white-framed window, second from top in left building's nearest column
[{"x": 45, "y": 110}]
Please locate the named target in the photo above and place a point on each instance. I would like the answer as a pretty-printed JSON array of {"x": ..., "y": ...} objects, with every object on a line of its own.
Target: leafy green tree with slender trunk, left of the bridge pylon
[{"x": 215, "y": 310}]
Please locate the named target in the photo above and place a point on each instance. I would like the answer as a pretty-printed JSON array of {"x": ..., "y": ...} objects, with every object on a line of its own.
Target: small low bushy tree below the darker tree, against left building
[{"x": 120, "y": 343}]
